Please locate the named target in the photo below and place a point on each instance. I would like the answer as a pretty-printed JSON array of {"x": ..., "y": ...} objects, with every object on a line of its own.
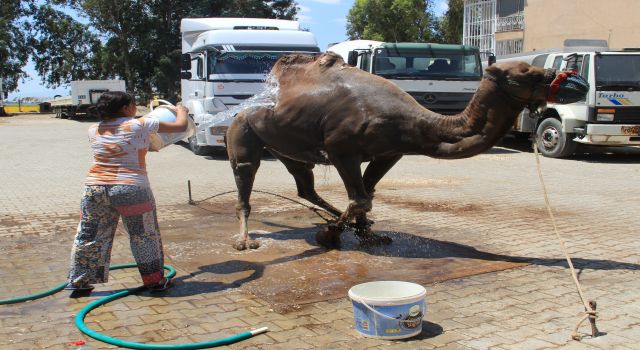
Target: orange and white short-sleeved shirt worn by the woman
[{"x": 119, "y": 149}]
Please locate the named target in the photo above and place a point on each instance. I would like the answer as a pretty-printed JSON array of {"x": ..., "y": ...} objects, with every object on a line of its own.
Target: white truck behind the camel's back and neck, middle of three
[{"x": 441, "y": 77}]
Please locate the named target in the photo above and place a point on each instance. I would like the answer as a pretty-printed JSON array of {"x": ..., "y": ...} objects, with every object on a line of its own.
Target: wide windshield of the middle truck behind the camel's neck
[{"x": 427, "y": 64}]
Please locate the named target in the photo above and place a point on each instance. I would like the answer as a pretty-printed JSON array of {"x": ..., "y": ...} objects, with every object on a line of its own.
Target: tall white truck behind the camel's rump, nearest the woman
[{"x": 225, "y": 61}]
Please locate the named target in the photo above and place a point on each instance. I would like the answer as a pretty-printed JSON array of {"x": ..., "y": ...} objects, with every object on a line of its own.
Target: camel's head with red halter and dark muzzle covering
[{"x": 533, "y": 86}]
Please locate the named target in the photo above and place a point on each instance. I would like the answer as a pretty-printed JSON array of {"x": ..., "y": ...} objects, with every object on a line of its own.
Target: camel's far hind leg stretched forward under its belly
[{"x": 305, "y": 183}]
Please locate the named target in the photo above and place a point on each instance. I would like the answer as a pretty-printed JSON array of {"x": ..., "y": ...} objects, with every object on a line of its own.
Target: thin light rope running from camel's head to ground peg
[{"x": 589, "y": 307}]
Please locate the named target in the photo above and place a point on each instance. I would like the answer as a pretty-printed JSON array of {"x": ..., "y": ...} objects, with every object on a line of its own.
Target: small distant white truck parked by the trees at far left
[{"x": 84, "y": 94}]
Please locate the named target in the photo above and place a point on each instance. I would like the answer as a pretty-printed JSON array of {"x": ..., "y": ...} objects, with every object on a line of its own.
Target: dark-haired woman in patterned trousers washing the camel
[{"x": 117, "y": 185}]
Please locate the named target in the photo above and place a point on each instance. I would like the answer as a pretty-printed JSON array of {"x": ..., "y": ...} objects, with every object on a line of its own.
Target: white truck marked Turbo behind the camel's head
[{"x": 608, "y": 116}]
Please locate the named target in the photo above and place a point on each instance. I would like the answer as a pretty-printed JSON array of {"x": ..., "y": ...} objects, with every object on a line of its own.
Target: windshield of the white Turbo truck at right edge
[{"x": 617, "y": 72}]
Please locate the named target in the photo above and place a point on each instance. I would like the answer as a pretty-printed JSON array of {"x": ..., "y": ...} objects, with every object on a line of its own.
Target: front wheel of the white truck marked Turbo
[{"x": 551, "y": 141}]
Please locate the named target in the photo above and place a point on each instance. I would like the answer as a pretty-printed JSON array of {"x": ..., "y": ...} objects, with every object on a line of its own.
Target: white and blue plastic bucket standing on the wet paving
[{"x": 388, "y": 309}]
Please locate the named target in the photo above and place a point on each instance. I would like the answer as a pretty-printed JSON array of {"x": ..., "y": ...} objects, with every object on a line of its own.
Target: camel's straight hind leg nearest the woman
[{"x": 244, "y": 148}]
